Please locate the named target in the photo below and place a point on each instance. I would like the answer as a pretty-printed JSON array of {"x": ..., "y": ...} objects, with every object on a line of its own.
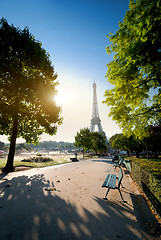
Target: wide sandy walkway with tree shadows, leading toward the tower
[{"x": 66, "y": 202}]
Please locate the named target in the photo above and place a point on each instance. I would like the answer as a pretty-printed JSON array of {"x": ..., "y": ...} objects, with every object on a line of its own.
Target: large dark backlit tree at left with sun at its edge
[{"x": 27, "y": 81}]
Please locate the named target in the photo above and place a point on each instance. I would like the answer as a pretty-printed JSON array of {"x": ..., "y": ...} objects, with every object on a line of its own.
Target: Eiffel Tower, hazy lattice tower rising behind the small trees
[{"x": 95, "y": 121}]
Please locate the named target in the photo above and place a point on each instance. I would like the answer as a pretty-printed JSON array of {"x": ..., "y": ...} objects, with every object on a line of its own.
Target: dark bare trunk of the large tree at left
[{"x": 9, "y": 166}]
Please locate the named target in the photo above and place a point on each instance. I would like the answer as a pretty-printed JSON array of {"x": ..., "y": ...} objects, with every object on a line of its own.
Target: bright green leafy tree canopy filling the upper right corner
[{"x": 135, "y": 71}]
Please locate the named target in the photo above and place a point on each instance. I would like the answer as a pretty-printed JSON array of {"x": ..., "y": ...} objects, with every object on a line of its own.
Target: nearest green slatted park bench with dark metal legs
[{"x": 113, "y": 182}]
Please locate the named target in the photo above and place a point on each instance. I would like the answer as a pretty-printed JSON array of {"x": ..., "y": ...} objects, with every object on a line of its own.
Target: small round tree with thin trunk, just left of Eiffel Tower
[{"x": 83, "y": 139}]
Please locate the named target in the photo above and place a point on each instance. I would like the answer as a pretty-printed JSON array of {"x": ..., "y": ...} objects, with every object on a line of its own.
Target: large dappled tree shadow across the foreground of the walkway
[{"x": 31, "y": 209}]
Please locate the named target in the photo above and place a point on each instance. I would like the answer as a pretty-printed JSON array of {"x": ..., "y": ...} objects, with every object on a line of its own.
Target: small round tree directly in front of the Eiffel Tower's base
[{"x": 98, "y": 142}]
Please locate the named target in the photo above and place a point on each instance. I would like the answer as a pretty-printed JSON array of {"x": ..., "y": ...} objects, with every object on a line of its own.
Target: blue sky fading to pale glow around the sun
[{"x": 74, "y": 33}]
